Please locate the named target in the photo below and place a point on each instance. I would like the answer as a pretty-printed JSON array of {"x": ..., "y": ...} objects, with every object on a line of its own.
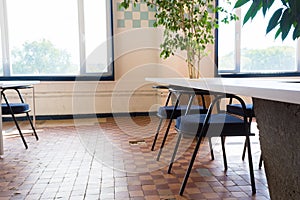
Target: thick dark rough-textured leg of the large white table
[{"x": 279, "y": 134}]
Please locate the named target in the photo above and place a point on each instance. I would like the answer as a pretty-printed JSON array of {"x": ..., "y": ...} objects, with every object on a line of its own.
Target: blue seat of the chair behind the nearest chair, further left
[{"x": 165, "y": 112}]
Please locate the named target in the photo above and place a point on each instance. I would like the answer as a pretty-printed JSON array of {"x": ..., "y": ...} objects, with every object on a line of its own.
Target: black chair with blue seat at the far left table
[{"x": 9, "y": 108}]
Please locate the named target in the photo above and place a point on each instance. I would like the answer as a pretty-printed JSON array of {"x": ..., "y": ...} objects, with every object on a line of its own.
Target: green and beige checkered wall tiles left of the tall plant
[{"x": 139, "y": 16}]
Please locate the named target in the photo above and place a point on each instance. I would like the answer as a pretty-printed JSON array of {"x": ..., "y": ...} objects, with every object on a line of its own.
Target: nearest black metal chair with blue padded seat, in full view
[{"x": 210, "y": 125}]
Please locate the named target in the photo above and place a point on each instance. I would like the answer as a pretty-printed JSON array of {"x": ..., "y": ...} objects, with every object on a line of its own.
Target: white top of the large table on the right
[{"x": 283, "y": 90}]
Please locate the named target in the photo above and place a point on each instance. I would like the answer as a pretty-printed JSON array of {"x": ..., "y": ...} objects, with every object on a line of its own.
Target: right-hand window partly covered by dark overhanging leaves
[{"x": 247, "y": 50}]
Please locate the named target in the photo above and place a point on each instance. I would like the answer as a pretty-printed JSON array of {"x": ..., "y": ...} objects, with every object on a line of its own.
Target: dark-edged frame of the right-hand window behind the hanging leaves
[{"x": 236, "y": 71}]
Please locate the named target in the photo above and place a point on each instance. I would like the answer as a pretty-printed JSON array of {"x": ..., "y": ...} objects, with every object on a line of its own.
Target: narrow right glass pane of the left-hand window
[{"x": 95, "y": 36}]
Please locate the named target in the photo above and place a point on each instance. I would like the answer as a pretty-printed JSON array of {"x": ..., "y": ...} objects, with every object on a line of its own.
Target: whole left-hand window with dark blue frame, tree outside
[{"x": 56, "y": 40}]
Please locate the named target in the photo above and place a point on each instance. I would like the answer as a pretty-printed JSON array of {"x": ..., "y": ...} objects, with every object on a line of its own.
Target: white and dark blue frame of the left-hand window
[{"x": 83, "y": 76}]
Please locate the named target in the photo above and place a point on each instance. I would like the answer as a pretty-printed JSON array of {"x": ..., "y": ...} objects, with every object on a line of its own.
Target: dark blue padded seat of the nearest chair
[{"x": 229, "y": 125}]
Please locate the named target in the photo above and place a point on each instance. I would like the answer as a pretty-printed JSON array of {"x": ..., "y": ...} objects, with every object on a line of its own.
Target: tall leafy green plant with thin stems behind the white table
[{"x": 188, "y": 26}]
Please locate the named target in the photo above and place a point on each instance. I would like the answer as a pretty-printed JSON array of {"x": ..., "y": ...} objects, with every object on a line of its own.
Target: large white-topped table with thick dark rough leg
[{"x": 277, "y": 109}]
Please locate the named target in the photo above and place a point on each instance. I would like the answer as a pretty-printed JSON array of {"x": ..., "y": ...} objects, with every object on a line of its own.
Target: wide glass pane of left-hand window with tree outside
[{"x": 43, "y": 37}]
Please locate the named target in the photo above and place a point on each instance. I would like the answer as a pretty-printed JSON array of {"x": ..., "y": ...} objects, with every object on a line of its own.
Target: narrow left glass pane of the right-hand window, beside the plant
[{"x": 226, "y": 41}]
